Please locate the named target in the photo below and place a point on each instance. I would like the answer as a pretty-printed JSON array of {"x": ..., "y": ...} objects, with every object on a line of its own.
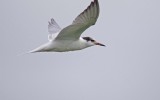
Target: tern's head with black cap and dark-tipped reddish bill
[{"x": 92, "y": 42}]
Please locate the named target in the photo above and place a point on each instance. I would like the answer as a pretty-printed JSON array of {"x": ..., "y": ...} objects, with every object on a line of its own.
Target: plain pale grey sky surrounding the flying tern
[{"x": 128, "y": 68}]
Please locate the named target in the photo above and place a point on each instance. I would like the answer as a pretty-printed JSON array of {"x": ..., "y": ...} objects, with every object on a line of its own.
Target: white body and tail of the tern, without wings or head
[{"x": 62, "y": 46}]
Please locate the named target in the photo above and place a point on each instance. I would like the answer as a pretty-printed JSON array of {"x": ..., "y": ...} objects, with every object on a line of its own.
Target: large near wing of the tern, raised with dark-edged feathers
[{"x": 83, "y": 21}]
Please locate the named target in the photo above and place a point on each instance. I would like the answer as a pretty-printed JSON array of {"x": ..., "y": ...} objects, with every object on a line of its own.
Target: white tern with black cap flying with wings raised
[{"x": 69, "y": 38}]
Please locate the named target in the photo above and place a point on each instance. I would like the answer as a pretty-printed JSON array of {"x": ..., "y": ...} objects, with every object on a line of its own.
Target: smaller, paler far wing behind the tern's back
[{"x": 53, "y": 28}]
